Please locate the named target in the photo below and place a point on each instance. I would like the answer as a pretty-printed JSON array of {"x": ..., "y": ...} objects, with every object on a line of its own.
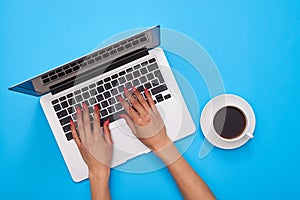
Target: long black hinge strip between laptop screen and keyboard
[{"x": 101, "y": 69}]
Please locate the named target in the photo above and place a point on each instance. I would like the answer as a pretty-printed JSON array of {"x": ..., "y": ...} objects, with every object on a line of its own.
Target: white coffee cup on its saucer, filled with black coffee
[{"x": 227, "y": 121}]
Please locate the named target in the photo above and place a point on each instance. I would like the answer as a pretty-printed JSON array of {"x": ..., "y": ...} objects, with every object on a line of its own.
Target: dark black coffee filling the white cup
[{"x": 229, "y": 122}]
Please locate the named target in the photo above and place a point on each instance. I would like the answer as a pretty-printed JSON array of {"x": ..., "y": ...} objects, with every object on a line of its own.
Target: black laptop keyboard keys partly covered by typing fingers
[{"x": 105, "y": 93}]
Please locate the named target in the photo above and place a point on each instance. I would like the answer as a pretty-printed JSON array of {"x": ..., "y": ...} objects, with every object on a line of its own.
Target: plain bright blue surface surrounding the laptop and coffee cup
[{"x": 255, "y": 45}]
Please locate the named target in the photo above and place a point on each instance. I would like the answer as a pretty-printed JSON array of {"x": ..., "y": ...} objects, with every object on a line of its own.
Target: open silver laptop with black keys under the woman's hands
[{"x": 99, "y": 78}]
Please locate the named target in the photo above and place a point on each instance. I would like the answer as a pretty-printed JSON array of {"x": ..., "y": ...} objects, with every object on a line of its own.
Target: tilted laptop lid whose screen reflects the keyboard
[{"x": 91, "y": 65}]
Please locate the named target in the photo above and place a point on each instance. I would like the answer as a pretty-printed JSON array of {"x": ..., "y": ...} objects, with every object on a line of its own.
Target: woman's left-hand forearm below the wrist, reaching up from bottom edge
[{"x": 99, "y": 187}]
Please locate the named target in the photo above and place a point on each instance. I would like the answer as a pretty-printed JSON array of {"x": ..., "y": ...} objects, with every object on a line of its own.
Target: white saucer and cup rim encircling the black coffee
[{"x": 207, "y": 117}]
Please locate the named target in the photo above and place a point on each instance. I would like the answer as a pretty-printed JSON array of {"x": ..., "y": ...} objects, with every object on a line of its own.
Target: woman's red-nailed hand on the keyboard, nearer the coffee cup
[{"x": 144, "y": 119}]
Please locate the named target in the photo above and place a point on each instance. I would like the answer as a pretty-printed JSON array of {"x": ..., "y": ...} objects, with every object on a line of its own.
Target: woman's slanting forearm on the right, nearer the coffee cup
[{"x": 188, "y": 181}]
